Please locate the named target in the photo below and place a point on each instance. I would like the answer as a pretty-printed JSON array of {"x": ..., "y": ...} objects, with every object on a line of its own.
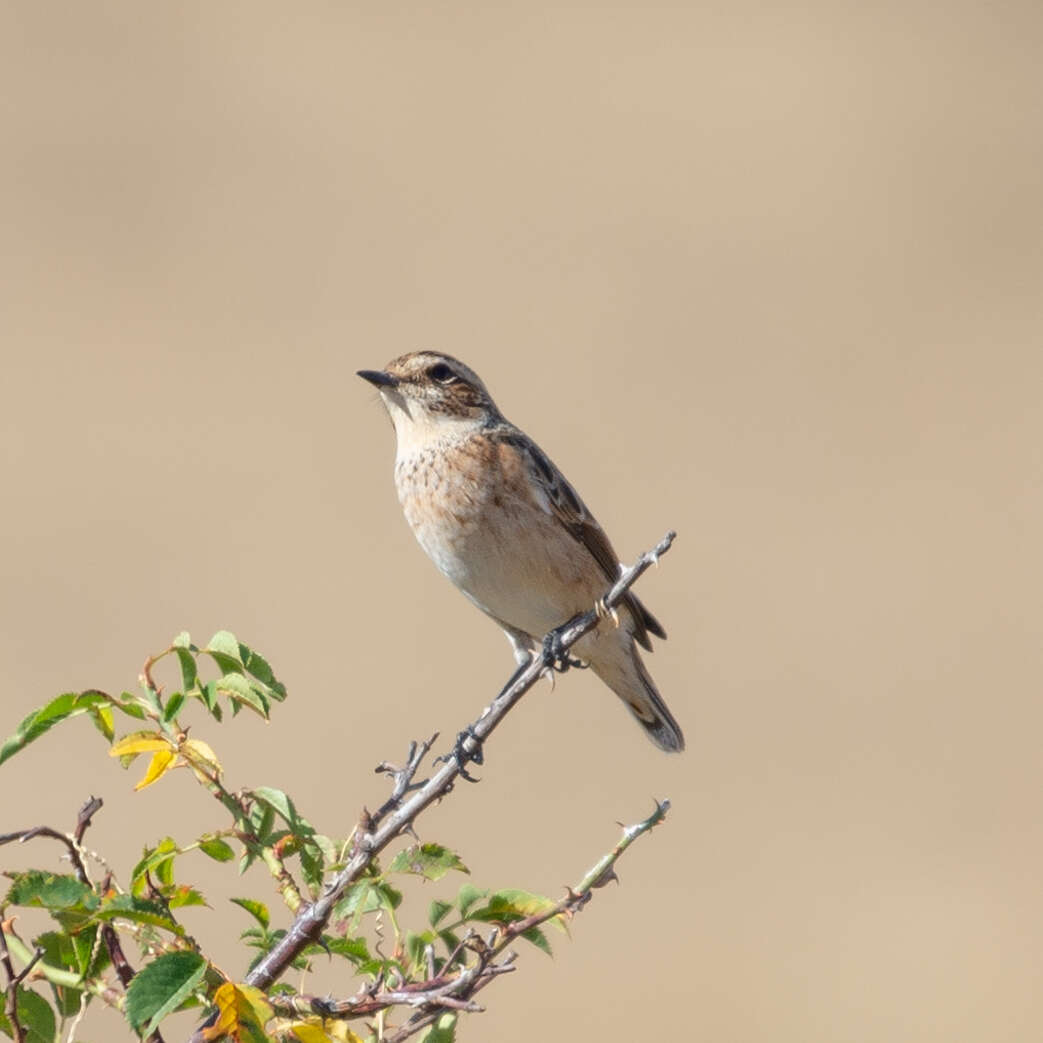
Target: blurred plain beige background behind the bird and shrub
[{"x": 768, "y": 275}]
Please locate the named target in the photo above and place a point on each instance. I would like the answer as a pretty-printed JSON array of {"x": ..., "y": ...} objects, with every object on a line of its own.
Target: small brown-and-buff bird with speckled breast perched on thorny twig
[{"x": 504, "y": 525}]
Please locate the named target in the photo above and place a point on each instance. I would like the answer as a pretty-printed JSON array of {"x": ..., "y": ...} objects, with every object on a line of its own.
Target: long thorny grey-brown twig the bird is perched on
[{"x": 312, "y": 918}]
